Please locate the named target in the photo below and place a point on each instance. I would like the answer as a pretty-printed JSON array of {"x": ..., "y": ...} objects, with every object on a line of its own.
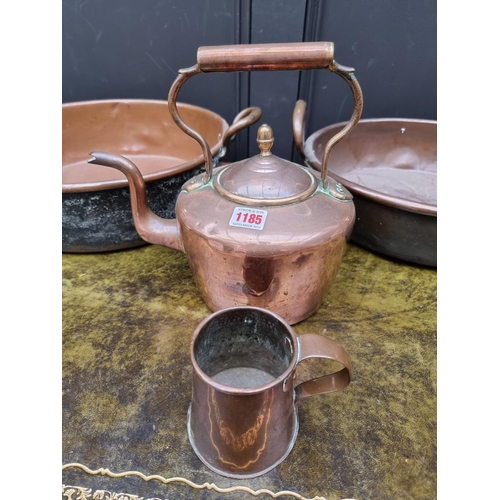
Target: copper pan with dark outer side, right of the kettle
[{"x": 390, "y": 167}]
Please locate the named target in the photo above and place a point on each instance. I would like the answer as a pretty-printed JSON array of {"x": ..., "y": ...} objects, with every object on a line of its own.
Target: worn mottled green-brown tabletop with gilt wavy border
[{"x": 128, "y": 318}]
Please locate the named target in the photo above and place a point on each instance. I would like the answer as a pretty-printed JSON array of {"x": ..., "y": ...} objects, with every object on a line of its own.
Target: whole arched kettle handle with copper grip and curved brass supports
[{"x": 271, "y": 57}]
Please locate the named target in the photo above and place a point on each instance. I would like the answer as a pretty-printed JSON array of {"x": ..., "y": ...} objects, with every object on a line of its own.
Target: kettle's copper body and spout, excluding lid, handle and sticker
[{"x": 287, "y": 266}]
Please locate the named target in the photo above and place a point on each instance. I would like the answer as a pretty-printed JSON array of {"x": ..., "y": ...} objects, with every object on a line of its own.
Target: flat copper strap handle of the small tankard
[{"x": 312, "y": 345}]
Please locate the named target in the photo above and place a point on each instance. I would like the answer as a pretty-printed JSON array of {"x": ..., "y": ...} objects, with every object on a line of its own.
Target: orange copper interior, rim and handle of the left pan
[{"x": 144, "y": 131}]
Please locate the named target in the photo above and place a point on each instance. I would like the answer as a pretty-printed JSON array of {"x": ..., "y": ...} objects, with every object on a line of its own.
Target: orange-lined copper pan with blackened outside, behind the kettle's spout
[{"x": 96, "y": 213}]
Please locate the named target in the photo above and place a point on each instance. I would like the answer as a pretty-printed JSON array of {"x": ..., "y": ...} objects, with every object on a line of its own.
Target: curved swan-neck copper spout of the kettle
[{"x": 150, "y": 227}]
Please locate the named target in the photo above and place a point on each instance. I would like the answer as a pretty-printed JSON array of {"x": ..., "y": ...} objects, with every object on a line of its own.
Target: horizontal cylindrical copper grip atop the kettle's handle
[{"x": 265, "y": 56}]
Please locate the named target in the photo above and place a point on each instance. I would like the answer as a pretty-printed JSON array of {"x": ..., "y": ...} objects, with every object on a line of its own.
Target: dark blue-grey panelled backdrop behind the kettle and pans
[{"x": 133, "y": 49}]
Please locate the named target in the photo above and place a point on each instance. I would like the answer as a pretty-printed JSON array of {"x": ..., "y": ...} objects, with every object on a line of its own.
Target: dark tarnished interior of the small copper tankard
[{"x": 244, "y": 348}]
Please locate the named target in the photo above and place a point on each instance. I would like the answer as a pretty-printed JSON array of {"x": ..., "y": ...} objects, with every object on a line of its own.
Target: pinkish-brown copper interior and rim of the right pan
[{"x": 389, "y": 160}]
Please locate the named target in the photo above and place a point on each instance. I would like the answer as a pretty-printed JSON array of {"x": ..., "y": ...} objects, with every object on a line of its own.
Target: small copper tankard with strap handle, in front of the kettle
[{"x": 242, "y": 421}]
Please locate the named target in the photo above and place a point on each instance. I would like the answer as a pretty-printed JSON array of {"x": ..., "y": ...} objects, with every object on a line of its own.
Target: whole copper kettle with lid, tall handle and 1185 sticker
[{"x": 263, "y": 231}]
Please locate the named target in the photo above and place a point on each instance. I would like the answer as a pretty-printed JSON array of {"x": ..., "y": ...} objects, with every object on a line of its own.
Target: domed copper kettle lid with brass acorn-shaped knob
[{"x": 265, "y": 179}]
